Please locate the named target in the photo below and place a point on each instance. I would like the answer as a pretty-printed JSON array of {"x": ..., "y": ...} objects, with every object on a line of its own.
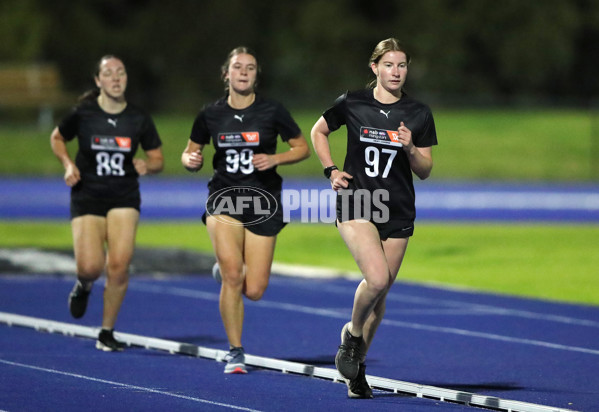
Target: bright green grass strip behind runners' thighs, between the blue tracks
[{"x": 550, "y": 262}]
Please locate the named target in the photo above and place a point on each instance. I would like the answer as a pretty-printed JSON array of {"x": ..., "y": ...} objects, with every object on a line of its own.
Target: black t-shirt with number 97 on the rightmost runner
[{"x": 373, "y": 158}]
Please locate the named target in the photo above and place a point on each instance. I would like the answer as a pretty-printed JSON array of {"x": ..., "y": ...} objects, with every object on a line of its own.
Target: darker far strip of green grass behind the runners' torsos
[{"x": 485, "y": 144}]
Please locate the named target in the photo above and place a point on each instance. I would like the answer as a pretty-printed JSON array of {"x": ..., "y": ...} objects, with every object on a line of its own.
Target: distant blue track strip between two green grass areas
[{"x": 309, "y": 200}]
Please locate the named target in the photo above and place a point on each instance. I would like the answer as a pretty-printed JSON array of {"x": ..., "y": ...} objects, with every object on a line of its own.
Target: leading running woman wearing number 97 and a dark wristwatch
[{"x": 389, "y": 137}]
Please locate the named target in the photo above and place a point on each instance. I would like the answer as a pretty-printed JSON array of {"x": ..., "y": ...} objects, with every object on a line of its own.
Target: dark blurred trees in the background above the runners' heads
[{"x": 313, "y": 50}]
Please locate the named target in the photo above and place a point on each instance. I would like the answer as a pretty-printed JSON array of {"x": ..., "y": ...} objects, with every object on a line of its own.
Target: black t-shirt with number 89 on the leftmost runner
[{"x": 107, "y": 146}]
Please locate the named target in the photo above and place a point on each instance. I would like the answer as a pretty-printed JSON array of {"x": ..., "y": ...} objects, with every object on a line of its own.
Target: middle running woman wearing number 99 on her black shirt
[{"x": 243, "y": 212}]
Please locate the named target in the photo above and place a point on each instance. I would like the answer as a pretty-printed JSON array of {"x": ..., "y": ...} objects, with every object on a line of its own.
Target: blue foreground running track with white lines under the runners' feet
[{"x": 527, "y": 350}]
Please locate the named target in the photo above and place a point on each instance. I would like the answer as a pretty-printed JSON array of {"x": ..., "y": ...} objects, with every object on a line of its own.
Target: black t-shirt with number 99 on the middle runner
[{"x": 239, "y": 134}]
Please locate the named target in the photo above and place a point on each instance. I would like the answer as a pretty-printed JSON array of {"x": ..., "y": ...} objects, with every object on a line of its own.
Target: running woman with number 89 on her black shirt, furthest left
[{"x": 105, "y": 198}]
